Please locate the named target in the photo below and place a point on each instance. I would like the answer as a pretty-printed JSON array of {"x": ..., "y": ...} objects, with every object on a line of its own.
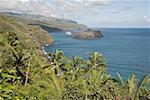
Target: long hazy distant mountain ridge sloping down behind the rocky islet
[{"x": 51, "y": 22}]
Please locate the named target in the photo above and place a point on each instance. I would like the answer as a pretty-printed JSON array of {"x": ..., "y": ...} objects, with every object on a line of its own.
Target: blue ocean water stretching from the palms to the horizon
[{"x": 127, "y": 50}]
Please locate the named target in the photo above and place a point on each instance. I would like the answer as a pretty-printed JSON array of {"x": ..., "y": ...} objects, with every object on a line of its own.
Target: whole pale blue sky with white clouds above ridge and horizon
[{"x": 93, "y": 13}]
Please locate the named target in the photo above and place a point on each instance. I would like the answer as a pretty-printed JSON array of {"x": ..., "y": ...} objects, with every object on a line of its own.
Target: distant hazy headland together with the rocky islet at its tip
[{"x": 82, "y": 31}]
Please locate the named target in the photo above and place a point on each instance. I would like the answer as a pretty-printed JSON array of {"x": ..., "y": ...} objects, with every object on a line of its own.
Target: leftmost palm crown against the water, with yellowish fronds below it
[{"x": 53, "y": 71}]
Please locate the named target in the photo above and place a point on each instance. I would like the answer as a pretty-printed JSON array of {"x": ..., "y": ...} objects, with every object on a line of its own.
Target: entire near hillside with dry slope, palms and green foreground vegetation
[{"x": 26, "y": 74}]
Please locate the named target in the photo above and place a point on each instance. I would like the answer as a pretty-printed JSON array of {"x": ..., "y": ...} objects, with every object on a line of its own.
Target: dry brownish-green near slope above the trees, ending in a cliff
[{"x": 25, "y": 31}]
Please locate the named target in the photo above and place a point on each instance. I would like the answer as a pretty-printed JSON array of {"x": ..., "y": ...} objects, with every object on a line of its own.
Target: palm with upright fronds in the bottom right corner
[{"x": 134, "y": 89}]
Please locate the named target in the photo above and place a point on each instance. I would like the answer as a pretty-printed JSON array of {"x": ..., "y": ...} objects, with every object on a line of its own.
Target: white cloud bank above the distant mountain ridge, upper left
[{"x": 59, "y": 8}]
